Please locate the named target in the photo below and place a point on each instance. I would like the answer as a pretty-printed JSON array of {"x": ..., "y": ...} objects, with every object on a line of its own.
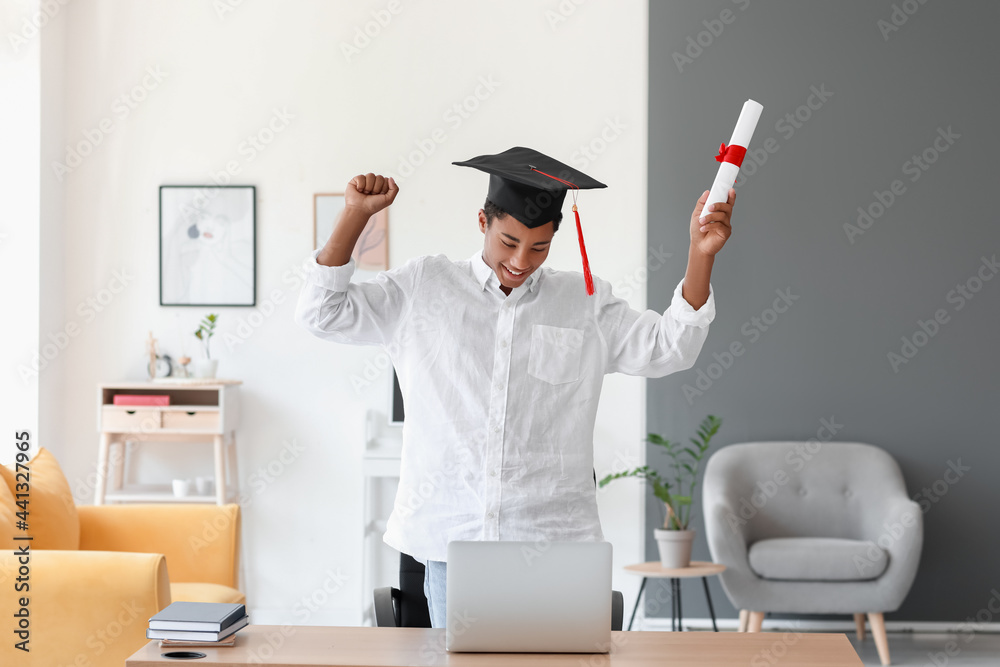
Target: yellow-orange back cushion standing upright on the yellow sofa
[{"x": 52, "y": 519}]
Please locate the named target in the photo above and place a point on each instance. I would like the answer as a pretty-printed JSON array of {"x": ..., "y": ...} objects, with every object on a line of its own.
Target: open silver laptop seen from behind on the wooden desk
[{"x": 536, "y": 597}]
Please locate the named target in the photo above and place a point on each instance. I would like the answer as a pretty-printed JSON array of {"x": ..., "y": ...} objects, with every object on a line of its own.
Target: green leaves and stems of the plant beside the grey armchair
[{"x": 676, "y": 493}]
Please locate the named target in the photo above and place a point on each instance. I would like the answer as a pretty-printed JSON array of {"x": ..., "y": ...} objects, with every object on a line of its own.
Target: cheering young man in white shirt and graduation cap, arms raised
[{"x": 501, "y": 361}]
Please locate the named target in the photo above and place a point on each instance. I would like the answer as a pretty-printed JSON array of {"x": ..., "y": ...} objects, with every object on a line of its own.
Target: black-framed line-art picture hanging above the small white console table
[{"x": 208, "y": 245}]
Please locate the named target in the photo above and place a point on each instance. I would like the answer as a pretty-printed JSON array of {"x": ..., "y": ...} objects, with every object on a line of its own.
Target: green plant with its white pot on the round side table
[{"x": 677, "y": 494}]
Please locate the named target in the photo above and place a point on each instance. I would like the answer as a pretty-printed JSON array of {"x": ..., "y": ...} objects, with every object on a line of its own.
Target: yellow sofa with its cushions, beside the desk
[{"x": 89, "y": 606}]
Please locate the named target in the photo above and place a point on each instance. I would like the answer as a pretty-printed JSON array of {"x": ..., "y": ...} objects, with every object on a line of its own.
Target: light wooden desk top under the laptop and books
[{"x": 293, "y": 646}]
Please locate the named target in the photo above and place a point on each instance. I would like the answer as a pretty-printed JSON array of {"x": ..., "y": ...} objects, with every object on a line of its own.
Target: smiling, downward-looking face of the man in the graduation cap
[{"x": 513, "y": 250}]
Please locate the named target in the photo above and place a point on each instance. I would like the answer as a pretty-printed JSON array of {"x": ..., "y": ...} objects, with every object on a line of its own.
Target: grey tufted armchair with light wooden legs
[{"x": 813, "y": 528}]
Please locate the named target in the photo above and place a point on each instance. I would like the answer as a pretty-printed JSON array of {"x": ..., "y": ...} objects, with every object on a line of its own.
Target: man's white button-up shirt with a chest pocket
[{"x": 500, "y": 391}]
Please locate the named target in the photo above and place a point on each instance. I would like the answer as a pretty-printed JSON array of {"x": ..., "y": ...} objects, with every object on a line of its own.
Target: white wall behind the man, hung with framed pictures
[{"x": 559, "y": 80}]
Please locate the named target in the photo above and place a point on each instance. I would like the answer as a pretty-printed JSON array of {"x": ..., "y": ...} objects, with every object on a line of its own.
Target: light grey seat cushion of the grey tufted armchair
[{"x": 817, "y": 559}]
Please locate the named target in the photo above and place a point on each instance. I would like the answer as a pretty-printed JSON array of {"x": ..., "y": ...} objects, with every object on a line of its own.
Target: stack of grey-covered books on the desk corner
[{"x": 198, "y": 624}]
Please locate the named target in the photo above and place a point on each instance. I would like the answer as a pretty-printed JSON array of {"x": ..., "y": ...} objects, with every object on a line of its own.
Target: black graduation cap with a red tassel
[{"x": 532, "y": 187}]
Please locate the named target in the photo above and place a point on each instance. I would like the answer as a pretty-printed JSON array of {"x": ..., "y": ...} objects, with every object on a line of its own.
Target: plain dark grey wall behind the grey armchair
[{"x": 826, "y": 357}]
